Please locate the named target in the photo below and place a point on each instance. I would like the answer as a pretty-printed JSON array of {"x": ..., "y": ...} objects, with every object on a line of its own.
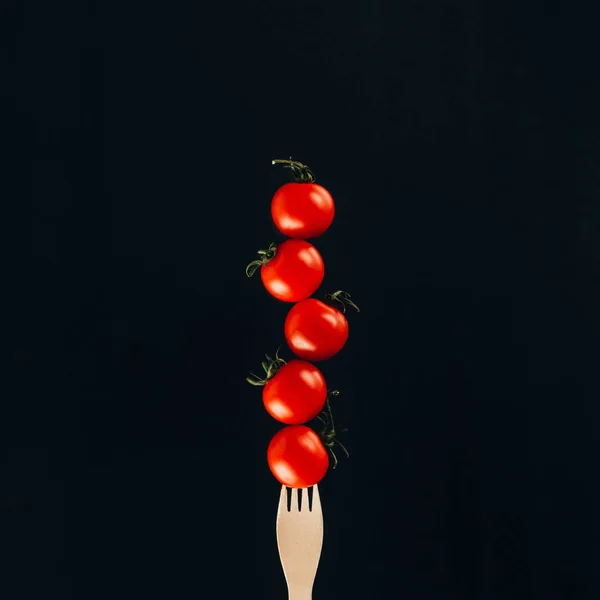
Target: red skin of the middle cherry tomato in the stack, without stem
[{"x": 314, "y": 330}]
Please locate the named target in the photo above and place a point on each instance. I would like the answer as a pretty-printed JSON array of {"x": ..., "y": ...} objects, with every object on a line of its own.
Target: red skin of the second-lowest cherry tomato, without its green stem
[{"x": 296, "y": 394}]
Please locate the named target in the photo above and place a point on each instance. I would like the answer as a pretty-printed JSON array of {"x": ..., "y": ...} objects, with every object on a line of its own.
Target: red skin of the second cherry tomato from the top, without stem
[{"x": 295, "y": 273}]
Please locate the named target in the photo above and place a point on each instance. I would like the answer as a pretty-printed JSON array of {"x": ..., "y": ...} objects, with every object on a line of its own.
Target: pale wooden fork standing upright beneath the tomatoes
[{"x": 300, "y": 540}]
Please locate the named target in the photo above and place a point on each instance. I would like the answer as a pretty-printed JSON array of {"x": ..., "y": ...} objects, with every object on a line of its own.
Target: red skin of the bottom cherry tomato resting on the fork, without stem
[{"x": 297, "y": 457}]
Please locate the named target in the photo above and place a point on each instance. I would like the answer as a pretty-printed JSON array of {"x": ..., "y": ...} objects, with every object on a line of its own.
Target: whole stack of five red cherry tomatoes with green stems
[{"x": 295, "y": 391}]
